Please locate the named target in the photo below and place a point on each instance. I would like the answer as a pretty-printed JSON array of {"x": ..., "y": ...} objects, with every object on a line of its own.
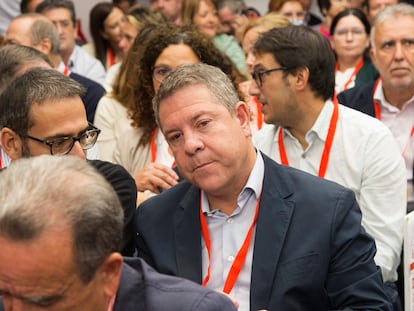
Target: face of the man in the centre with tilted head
[{"x": 211, "y": 146}]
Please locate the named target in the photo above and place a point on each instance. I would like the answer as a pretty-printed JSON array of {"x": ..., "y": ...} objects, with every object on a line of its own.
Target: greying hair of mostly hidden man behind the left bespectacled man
[{"x": 13, "y": 58}]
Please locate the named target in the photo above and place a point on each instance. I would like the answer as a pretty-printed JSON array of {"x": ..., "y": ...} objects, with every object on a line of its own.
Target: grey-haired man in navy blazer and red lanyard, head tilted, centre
[{"x": 271, "y": 236}]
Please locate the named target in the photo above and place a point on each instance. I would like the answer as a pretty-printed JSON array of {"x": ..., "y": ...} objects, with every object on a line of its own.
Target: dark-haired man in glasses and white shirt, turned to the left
[{"x": 294, "y": 80}]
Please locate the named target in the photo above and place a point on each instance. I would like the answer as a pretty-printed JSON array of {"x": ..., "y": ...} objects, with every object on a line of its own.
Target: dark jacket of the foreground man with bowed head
[{"x": 143, "y": 289}]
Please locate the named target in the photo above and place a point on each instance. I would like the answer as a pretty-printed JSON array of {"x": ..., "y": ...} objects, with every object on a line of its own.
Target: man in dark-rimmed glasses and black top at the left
[{"x": 42, "y": 113}]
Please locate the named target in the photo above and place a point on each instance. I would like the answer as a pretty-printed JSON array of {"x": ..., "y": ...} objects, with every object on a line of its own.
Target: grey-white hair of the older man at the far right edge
[{"x": 392, "y": 12}]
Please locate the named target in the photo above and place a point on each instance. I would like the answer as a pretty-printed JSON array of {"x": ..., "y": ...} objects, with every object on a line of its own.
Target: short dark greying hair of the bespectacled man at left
[{"x": 38, "y": 85}]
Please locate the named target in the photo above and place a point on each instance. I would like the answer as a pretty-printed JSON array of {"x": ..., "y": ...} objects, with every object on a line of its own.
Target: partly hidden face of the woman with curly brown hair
[{"x": 172, "y": 57}]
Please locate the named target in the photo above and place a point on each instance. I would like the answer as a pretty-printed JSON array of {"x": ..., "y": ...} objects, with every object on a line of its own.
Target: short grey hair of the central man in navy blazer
[{"x": 217, "y": 82}]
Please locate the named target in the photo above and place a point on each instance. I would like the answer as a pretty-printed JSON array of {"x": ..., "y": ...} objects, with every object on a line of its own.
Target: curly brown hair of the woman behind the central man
[{"x": 138, "y": 90}]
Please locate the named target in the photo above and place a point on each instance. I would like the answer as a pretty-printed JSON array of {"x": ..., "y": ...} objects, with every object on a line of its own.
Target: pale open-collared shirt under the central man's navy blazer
[{"x": 227, "y": 234}]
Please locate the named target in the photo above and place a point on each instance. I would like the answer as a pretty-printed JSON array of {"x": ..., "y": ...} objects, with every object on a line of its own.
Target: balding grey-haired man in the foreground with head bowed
[{"x": 60, "y": 231}]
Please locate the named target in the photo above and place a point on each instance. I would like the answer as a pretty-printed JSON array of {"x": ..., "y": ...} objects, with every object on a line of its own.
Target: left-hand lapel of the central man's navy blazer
[{"x": 188, "y": 236}]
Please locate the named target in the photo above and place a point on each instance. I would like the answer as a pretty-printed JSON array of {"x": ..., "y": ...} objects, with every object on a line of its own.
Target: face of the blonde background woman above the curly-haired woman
[{"x": 206, "y": 19}]
